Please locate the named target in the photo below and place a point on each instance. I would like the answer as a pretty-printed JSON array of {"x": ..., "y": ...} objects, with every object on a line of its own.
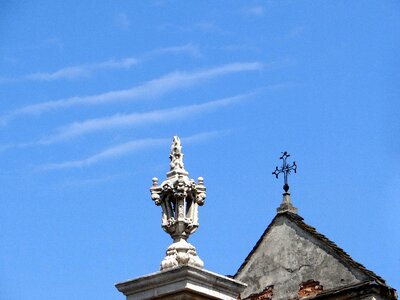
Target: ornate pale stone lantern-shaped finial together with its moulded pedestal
[{"x": 181, "y": 274}]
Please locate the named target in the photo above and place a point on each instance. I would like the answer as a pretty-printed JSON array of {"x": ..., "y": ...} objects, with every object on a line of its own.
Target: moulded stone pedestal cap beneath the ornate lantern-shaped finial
[{"x": 183, "y": 282}]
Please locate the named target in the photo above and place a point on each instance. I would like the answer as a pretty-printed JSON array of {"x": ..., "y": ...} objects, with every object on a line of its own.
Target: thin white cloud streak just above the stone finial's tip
[{"x": 138, "y": 119}]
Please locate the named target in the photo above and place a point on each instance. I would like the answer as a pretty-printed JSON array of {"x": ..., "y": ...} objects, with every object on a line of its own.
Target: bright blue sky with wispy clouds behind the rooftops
[{"x": 91, "y": 93}]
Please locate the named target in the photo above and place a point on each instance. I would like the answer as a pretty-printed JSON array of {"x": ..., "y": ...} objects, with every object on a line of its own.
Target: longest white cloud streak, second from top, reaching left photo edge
[{"x": 153, "y": 88}]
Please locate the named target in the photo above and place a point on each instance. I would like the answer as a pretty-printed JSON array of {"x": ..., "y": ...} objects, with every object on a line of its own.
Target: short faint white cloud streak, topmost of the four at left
[{"x": 85, "y": 70}]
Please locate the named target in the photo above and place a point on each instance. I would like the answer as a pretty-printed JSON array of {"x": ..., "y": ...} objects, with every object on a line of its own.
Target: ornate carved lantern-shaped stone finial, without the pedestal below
[{"x": 179, "y": 197}]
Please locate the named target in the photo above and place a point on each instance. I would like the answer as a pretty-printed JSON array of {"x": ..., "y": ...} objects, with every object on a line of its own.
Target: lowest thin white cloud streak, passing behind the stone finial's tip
[{"x": 126, "y": 148}]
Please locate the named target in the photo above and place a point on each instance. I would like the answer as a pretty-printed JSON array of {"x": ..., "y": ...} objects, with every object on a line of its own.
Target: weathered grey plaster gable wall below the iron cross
[{"x": 287, "y": 256}]
